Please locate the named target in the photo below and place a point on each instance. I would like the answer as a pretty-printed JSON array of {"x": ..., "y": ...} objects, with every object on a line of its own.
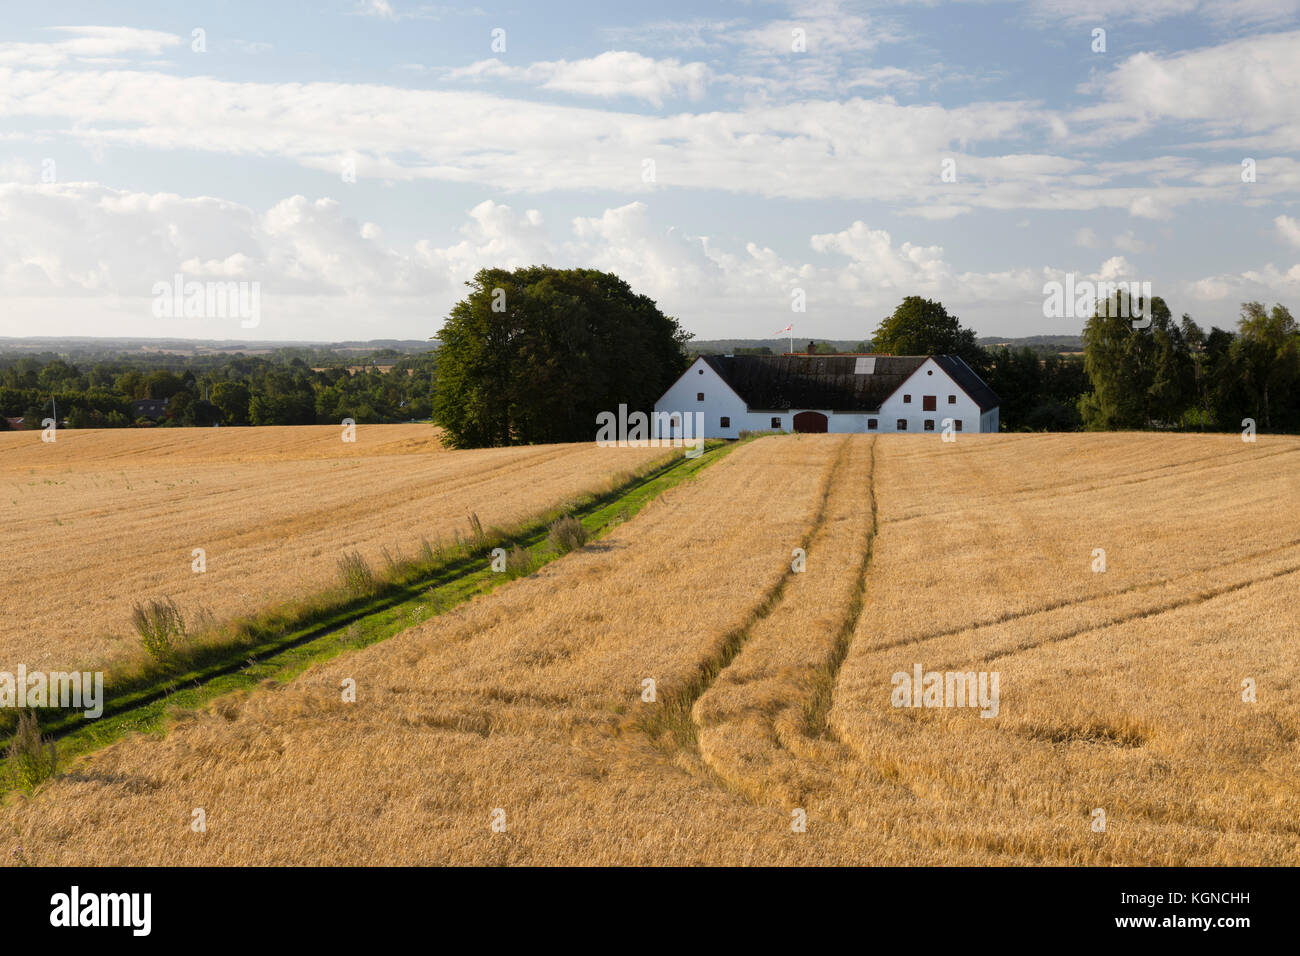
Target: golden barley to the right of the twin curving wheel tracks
[{"x": 1121, "y": 691}]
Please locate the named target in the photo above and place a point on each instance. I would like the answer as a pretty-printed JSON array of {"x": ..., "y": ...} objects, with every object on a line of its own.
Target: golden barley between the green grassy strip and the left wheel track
[{"x": 523, "y": 700}]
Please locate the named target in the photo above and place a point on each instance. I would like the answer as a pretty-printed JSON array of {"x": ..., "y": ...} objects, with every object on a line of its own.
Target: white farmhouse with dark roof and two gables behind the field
[{"x": 830, "y": 393}]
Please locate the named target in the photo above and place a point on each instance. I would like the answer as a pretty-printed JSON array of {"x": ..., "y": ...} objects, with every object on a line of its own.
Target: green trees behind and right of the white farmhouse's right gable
[{"x": 1150, "y": 373}]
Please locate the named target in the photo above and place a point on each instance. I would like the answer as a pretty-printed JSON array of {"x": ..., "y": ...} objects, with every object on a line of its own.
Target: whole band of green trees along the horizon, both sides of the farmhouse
[{"x": 534, "y": 354}]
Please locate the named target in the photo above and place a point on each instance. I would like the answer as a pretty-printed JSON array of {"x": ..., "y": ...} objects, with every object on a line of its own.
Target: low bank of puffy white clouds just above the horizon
[{"x": 79, "y": 252}]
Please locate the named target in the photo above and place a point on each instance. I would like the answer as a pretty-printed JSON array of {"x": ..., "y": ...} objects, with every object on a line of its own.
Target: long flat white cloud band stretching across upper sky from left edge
[{"x": 857, "y": 149}]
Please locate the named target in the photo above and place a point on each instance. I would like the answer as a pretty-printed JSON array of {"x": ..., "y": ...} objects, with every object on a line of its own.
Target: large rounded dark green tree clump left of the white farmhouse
[{"x": 535, "y": 354}]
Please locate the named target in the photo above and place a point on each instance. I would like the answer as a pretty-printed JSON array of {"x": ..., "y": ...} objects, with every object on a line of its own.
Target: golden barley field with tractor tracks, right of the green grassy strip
[{"x": 1149, "y": 713}]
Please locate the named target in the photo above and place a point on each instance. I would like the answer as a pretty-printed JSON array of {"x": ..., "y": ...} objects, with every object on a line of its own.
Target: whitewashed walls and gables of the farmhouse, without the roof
[{"x": 721, "y": 403}]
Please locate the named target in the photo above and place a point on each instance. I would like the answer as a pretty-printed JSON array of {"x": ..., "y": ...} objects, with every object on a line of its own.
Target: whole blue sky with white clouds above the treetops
[{"x": 747, "y": 166}]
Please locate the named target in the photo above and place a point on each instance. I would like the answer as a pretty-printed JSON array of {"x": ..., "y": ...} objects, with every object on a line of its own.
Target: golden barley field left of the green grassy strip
[{"x": 99, "y": 520}]
